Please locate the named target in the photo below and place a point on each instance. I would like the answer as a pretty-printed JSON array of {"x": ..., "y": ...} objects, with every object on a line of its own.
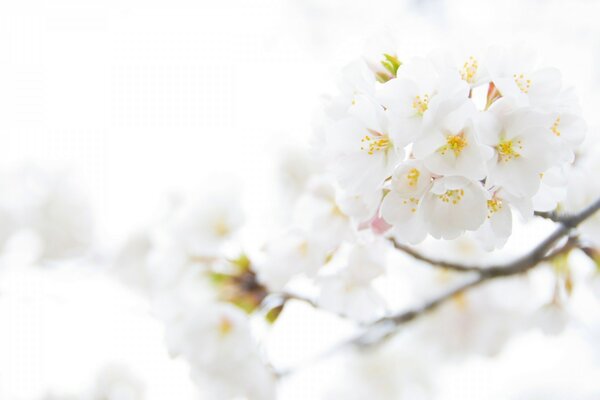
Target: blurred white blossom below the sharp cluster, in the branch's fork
[{"x": 349, "y": 290}]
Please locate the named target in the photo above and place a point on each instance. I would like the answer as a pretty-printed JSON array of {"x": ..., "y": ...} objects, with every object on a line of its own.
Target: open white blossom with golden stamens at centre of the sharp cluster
[{"x": 452, "y": 147}]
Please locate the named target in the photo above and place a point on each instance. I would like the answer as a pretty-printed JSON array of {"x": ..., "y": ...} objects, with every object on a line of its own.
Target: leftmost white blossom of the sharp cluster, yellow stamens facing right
[{"x": 362, "y": 153}]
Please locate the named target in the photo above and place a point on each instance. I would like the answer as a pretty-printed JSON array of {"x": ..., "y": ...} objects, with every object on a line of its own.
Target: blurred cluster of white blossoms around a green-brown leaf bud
[{"x": 204, "y": 292}]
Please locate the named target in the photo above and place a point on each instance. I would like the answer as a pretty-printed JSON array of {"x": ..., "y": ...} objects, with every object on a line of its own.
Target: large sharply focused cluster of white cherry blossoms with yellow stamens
[{"x": 449, "y": 145}]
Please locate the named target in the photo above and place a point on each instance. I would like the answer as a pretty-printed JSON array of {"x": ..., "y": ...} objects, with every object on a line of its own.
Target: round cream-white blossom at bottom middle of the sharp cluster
[{"x": 452, "y": 206}]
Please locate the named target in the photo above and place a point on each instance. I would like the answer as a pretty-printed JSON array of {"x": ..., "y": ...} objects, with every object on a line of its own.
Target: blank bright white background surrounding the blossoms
[{"x": 142, "y": 98}]
